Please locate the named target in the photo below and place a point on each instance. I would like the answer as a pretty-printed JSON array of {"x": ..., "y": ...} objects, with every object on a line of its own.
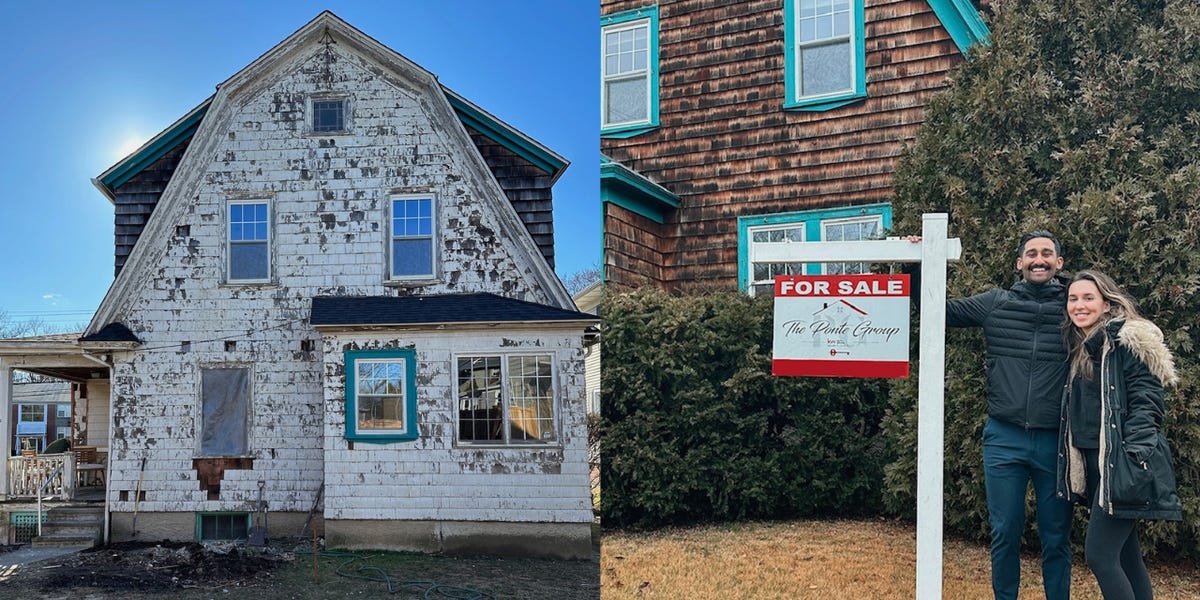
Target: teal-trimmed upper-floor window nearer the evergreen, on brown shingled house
[{"x": 824, "y": 53}]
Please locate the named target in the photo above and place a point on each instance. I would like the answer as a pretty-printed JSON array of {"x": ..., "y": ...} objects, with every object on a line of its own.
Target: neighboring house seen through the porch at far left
[{"x": 40, "y": 415}]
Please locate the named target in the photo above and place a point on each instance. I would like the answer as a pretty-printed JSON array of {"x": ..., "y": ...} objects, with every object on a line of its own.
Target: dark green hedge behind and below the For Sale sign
[{"x": 697, "y": 429}]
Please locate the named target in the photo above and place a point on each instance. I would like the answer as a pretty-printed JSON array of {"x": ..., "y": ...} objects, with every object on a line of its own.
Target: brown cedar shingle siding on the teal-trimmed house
[{"x": 728, "y": 148}]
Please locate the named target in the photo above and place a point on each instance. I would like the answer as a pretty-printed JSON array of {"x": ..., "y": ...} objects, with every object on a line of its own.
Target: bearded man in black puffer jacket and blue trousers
[{"x": 1027, "y": 373}]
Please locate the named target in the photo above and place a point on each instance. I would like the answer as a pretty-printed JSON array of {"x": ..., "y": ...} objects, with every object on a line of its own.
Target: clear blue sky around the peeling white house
[{"x": 89, "y": 82}]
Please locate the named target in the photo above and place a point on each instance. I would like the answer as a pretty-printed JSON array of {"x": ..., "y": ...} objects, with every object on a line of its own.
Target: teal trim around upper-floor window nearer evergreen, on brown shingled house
[{"x": 791, "y": 73}]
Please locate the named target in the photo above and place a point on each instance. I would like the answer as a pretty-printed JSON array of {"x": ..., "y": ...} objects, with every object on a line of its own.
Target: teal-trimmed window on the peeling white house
[{"x": 381, "y": 395}]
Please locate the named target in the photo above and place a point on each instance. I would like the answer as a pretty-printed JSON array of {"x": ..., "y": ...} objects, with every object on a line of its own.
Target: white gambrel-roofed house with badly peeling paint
[{"x": 335, "y": 292}]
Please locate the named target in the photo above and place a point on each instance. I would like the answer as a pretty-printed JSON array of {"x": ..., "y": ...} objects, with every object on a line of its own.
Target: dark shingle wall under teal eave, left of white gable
[{"x": 136, "y": 200}]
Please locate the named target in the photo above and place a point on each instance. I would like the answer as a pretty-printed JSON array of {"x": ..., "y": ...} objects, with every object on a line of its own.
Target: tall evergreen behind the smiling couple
[{"x": 1083, "y": 117}]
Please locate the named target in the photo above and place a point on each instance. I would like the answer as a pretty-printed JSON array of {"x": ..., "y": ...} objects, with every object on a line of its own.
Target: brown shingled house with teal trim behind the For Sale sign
[{"x": 733, "y": 128}]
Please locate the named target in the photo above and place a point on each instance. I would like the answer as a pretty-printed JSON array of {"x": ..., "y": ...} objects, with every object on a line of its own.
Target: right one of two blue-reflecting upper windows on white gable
[{"x": 412, "y": 235}]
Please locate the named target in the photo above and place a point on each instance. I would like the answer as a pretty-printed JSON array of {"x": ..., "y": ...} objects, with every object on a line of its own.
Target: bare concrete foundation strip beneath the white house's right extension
[{"x": 547, "y": 541}]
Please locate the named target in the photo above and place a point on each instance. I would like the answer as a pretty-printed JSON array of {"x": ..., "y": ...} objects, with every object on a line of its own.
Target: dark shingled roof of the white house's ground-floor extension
[{"x": 460, "y": 309}]
